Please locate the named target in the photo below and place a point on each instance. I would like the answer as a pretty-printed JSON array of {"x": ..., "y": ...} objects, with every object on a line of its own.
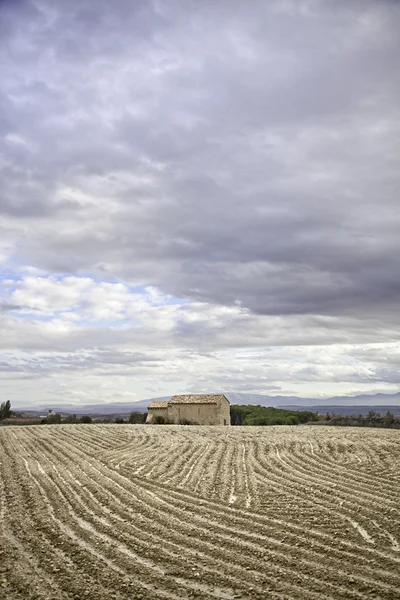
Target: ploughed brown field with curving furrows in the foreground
[{"x": 99, "y": 512}]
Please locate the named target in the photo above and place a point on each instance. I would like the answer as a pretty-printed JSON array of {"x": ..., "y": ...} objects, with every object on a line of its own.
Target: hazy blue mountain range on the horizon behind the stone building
[{"x": 378, "y": 402}]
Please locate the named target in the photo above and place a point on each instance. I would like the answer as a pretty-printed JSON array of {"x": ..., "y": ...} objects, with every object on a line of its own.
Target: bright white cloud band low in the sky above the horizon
[{"x": 71, "y": 335}]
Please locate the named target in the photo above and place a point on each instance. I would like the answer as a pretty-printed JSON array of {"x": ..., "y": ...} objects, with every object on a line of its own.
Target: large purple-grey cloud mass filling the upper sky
[{"x": 274, "y": 156}]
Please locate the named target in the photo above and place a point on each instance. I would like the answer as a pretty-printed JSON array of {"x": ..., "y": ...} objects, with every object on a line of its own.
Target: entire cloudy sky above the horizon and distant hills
[{"x": 198, "y": 196}]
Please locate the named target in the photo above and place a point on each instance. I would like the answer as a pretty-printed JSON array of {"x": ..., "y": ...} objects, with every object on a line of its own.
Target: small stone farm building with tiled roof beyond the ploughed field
[{"x": 210, "y": 409}]
